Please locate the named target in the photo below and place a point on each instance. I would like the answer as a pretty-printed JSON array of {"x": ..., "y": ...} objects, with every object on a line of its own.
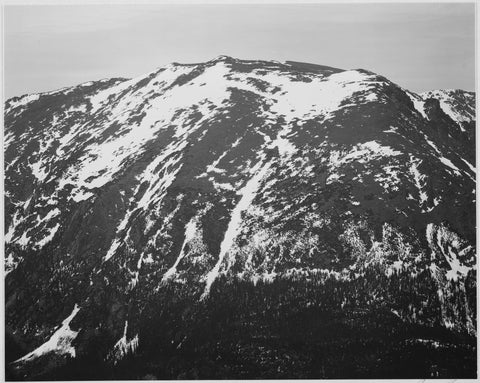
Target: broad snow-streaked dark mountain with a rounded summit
[{"x": 124, "y": 197}]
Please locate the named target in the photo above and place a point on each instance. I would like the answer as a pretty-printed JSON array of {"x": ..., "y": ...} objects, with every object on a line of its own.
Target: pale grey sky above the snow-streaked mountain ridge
[{"x": 418, "y": 46}]
